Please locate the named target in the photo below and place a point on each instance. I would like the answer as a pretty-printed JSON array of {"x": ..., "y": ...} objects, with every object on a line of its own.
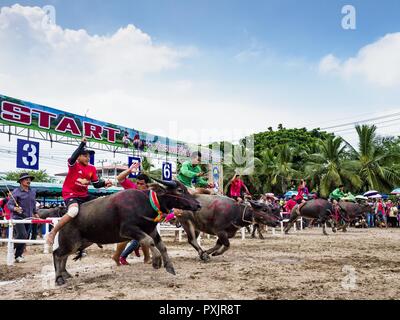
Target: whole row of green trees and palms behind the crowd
[{"x": 325, "y": 161}]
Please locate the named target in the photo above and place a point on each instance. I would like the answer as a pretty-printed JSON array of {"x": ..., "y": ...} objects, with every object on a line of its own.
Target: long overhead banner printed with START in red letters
[{"x": 25, "y": 114}]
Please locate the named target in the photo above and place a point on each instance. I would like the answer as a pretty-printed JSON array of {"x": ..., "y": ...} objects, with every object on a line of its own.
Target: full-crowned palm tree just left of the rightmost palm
[{"x": 331, "y": 167}]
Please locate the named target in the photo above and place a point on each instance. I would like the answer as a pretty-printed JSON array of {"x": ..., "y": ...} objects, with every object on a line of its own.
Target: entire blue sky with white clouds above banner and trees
[{"x": 206, "y": 70}]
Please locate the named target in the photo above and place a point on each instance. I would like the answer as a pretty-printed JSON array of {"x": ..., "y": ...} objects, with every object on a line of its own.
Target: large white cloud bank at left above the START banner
[{"x": 123, "y": 78}]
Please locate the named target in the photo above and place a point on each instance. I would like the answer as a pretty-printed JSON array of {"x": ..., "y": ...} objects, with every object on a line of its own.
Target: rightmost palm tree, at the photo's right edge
[{"x": 376, "y": 164}]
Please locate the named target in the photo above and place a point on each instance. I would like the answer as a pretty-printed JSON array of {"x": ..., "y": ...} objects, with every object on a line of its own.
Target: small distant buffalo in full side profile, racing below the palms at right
[{"x": 320, "y": 209}]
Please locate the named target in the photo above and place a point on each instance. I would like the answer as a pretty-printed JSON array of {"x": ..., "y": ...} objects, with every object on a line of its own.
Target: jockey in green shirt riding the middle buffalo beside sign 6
[{"x": 190, "y": 174}]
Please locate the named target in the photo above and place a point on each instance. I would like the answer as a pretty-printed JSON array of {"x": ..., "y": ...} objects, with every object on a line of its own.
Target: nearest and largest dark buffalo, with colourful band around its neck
[{"x": 121, "y": 217}]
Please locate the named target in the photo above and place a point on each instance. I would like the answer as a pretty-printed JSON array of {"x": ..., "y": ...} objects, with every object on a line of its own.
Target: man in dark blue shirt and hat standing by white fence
[{"x": 22, "y": 205}]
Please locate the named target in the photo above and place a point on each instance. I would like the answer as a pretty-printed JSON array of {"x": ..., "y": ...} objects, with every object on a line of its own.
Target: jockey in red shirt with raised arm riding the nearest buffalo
[{"x": 75, "y": 189}]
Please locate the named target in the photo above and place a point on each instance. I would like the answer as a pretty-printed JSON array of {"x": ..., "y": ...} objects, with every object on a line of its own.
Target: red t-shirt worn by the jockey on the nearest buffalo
[{"x": 78, "y": 179}]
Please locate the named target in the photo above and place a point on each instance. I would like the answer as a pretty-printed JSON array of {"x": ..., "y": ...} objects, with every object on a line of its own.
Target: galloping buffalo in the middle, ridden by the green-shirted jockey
[{"x": 223, "y": 217}]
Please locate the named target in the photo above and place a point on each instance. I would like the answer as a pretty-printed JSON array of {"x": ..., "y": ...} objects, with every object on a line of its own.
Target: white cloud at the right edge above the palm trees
[{"x": 378, "y": 63}]
